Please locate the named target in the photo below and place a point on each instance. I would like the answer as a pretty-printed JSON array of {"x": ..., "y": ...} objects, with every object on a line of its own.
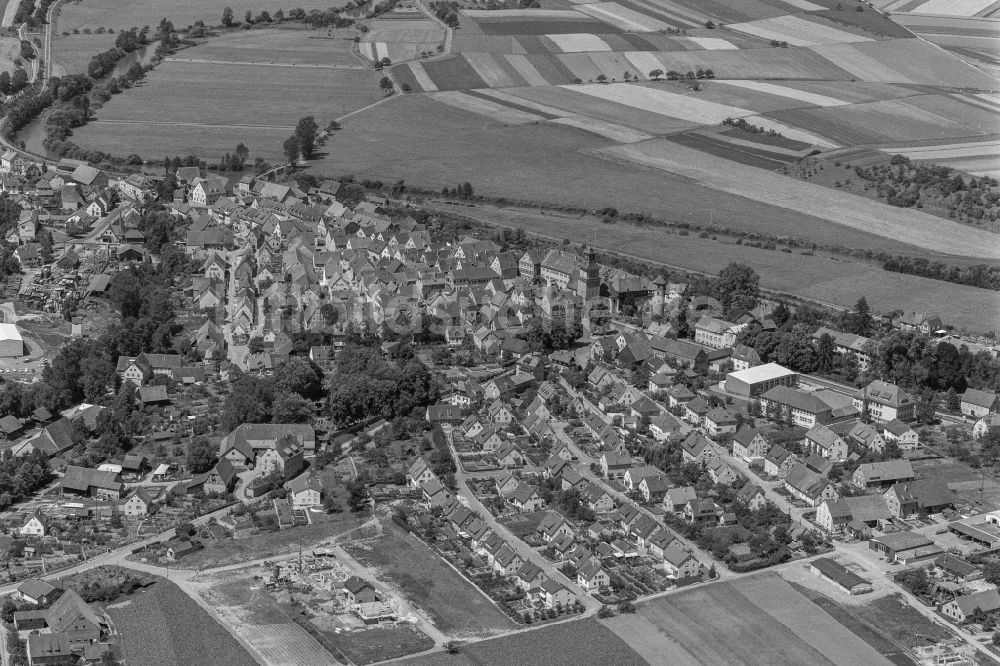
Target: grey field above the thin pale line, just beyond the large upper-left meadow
[{"x": 304, "y": 47}]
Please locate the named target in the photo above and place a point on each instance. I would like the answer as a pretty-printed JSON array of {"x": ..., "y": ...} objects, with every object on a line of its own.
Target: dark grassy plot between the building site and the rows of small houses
[{"x": 456, "y": 606}]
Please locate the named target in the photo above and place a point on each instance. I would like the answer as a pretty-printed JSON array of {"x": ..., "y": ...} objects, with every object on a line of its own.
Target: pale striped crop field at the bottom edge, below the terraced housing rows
[{"x": 758, "y": 620}]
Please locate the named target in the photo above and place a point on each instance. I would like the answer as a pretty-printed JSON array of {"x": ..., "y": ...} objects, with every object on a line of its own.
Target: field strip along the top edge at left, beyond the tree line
[{"x": 124, "y": 15}]
